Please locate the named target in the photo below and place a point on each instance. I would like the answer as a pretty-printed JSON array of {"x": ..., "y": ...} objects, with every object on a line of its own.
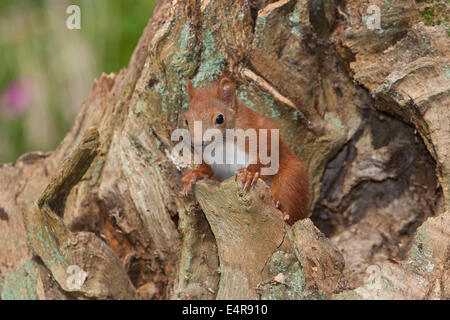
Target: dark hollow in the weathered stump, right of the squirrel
[{"x": 375, "y": 193}]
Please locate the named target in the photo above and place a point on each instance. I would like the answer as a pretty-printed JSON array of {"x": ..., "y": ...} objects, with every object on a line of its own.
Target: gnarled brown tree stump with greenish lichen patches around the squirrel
[{"x": 367, "y": 110}]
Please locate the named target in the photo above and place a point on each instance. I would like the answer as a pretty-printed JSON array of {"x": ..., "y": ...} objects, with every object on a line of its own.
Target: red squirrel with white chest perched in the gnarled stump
[{"x": 218, "y": 107}]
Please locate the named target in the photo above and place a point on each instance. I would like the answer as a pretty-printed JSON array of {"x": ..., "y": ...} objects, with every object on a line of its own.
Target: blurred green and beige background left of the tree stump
[{"x": 47, "y": 70}]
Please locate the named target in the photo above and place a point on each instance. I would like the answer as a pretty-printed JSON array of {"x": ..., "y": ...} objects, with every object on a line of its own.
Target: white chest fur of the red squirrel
[{"x": 233, "y": 159}]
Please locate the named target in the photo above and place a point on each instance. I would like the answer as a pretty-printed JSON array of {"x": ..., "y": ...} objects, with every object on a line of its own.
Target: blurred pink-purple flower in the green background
[{"x": 16, "y": 98}]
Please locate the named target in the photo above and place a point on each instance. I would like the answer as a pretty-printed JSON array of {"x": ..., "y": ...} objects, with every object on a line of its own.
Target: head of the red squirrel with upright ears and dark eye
[{"x": 215, "y": 106}]
